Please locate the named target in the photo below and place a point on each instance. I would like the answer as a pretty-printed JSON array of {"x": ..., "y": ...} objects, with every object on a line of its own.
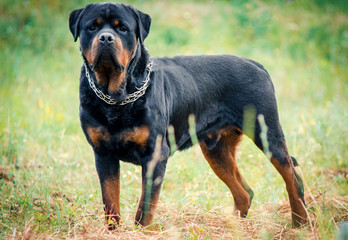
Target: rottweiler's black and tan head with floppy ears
[{"x": 110, "y": 34}]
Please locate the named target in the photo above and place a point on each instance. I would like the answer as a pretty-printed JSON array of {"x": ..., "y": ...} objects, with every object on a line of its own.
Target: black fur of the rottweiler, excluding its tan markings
[{"x": 215, "y": 89}]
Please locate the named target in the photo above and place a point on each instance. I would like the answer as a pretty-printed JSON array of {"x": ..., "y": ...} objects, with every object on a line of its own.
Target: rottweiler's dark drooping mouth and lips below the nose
[{"x": 106, "y": 60}]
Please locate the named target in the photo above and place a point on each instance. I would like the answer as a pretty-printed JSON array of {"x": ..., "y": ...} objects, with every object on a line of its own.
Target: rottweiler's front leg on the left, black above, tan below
[{"x": 108, "y": 170}]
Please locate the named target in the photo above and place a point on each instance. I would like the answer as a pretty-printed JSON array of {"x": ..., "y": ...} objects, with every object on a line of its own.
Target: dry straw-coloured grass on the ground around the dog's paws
[{"x": 193, "y": 222}]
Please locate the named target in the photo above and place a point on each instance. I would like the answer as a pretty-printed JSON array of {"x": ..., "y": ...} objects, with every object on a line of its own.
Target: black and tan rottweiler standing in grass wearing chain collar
[{"x": 128, "y": 100}]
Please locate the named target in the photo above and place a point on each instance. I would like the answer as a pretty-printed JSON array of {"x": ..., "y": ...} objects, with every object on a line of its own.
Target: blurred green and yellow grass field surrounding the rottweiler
[{"x": 48, "y": 183}]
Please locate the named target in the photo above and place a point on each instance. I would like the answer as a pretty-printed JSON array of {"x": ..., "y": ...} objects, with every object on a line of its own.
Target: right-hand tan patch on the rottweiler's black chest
[{"x": 138, "y": 135}]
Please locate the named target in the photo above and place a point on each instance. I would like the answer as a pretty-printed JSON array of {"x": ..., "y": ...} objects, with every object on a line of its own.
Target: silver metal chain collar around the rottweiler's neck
[{"x": 130, "y": 98}]
